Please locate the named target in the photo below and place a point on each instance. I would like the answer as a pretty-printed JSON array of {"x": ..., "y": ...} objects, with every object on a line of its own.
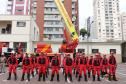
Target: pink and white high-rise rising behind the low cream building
[{"x": 19, "y": 7}]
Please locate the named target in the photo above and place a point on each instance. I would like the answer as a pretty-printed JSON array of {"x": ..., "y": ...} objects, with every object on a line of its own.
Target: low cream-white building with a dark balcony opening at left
[{"x": 18, "y": 29}]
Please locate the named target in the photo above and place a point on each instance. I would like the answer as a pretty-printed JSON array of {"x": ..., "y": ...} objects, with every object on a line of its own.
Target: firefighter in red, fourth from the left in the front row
[{"x": 55, "y": 64}]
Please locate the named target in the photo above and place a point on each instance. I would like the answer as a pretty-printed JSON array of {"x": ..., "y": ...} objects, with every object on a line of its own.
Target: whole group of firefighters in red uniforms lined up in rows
[{"x": 80, "y": 66}]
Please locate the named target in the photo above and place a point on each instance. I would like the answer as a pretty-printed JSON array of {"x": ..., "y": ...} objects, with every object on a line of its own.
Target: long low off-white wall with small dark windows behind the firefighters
[{"x": 104, "y": 48}]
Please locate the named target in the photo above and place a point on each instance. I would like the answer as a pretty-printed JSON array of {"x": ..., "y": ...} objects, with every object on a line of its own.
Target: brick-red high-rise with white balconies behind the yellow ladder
[{"x": 52, "y": 24}]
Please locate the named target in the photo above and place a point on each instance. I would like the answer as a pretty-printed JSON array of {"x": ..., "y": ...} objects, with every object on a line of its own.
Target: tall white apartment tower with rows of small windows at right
[{"x": 107, "y": 20}]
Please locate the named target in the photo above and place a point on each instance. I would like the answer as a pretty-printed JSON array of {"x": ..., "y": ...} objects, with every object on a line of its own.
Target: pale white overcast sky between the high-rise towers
[{"x": 86, "y": 9}]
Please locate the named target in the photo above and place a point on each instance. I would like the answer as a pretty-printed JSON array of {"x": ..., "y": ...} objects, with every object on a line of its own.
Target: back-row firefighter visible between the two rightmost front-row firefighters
[{"x": 104, "y": 65}]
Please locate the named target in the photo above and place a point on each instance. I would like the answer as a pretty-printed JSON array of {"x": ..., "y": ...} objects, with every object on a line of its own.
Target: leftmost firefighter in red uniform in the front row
[{"x": 13, "y": 63}]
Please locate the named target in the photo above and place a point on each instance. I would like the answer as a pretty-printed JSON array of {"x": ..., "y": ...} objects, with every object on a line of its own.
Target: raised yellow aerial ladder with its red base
[{"x": 71, "y": 36}]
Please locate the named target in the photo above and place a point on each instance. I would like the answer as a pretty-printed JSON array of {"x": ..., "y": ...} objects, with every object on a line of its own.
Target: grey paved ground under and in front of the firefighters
[{"x": 121, "y": 75}]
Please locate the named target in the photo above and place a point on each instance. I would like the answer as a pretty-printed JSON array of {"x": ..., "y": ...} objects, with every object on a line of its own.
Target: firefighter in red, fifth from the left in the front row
[{"x": 68, "y": 65}]
